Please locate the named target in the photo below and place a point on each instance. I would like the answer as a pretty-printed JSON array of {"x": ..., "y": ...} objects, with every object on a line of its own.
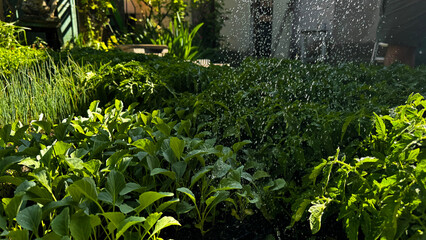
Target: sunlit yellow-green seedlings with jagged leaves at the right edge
[{"x": 381, "y": 193}]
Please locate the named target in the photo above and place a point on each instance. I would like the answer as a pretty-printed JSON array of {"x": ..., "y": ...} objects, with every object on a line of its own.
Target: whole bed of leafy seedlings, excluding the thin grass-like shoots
[{"x": 220, "y": 149}]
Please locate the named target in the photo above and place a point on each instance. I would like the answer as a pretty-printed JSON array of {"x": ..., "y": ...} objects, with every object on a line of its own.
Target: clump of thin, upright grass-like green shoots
[{"x": 55, "y": 90}]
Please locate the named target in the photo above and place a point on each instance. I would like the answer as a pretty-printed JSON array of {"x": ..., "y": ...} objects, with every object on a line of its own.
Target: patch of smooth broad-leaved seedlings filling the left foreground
[{"x": 110, "y": 174}]
